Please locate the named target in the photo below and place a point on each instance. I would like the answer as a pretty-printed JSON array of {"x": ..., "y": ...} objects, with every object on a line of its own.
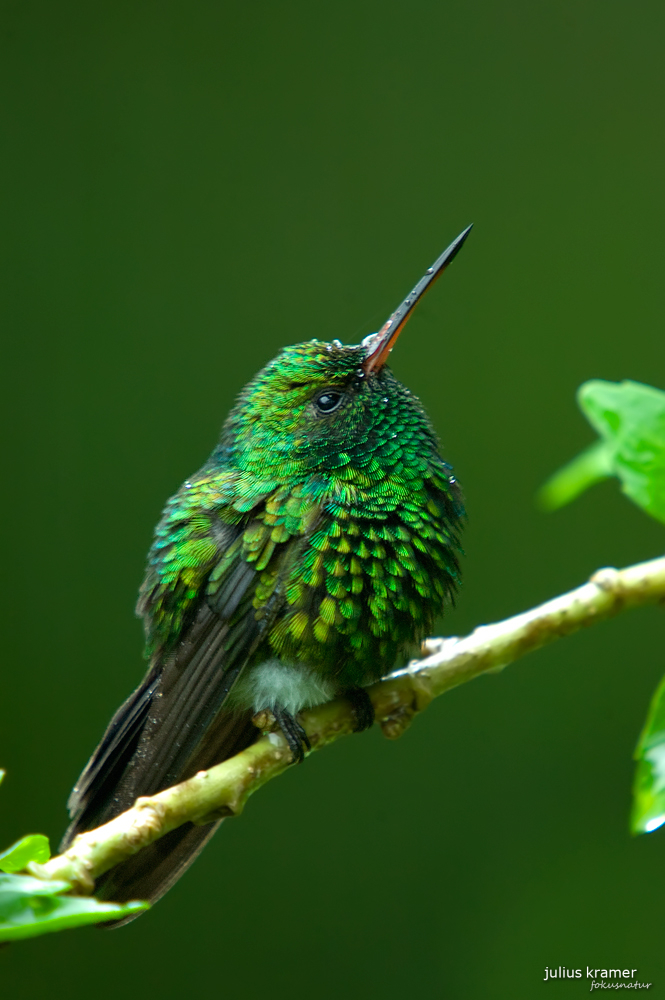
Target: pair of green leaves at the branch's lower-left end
[{"x": 31, "y": 906}]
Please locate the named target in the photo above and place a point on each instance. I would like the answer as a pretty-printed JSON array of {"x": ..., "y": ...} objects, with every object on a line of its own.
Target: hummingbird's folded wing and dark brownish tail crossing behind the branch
[{"x": 203, "y": 622}]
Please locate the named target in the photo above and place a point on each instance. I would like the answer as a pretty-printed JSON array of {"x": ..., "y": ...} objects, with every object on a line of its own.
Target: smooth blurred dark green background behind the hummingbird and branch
[{"x": 186, "y": 188}]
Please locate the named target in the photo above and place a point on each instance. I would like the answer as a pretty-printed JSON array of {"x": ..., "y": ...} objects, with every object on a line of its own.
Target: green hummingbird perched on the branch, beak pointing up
[{"x": 317, "y": 544}]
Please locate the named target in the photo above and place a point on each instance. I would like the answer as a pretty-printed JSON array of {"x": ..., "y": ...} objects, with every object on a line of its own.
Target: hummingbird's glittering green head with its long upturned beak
[{"x": 324, "y": 407}]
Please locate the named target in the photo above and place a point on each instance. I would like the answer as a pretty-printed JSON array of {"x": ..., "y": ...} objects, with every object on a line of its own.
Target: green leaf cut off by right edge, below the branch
[{"x": 648, "y": 812}]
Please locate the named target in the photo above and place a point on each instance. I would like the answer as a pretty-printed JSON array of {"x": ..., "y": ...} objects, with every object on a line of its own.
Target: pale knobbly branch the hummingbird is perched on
[{"x": 224, "y": 789}]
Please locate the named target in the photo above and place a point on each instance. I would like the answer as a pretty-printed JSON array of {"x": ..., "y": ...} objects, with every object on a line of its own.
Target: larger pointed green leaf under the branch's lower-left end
[{"x": 31, "y": 906}]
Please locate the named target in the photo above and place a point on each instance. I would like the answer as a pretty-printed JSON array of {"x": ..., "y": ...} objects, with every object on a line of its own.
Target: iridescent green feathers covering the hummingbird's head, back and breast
[{"x": 348, "y": 519}]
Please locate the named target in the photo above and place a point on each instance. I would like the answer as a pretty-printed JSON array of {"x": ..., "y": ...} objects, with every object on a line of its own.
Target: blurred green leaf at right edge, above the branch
[{"x": 630, "y": 419}]
